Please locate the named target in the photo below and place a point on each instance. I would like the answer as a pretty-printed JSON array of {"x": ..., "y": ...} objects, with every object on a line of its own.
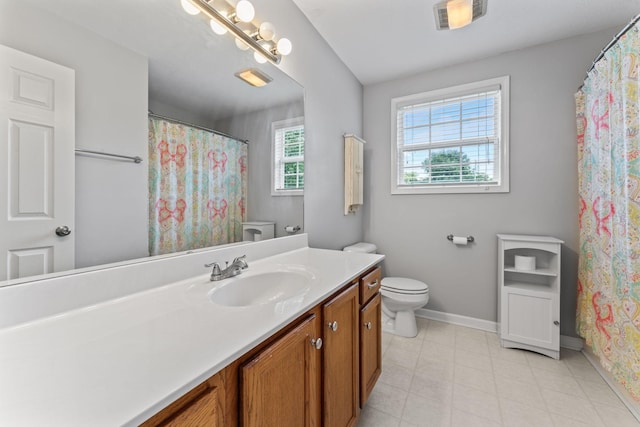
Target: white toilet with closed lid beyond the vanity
[{"x": 401, "y": 297}]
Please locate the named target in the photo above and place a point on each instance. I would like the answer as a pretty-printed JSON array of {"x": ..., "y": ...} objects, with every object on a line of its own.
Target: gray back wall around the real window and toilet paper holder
[{"x": 411, "y": 229}]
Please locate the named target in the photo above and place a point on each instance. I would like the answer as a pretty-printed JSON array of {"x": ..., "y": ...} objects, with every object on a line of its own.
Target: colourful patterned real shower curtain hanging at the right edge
[{"x": 608, "y": 309}]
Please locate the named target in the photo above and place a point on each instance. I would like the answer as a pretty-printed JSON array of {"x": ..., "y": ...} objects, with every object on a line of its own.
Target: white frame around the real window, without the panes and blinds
[{"x": 502, "y": 155}]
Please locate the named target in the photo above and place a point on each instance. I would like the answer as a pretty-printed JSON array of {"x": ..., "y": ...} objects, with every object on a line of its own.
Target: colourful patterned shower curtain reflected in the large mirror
[{"x": 197, "y": 187}]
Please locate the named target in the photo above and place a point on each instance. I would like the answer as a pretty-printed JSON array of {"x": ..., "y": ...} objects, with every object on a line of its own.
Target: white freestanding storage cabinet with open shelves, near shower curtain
[{"x": 529, "y": 299}]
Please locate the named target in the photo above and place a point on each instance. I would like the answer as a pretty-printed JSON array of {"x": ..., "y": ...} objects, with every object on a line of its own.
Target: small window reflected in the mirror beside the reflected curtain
[{"x": 288, "y": 157}]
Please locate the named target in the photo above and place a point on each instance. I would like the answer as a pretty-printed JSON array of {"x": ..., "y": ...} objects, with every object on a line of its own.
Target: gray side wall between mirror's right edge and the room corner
[{"x": 333, "y": 107}]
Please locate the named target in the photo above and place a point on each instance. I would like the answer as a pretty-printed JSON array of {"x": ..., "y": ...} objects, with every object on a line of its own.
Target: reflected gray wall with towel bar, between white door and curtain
[{"x": 111, "y": 106}]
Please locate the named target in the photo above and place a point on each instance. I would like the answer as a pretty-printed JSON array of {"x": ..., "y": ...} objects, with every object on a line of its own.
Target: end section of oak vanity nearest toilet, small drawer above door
[{"x": 370, "y": 333}]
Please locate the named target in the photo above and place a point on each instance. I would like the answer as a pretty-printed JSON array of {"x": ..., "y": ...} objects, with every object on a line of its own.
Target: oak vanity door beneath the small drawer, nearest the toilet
[{"x": 370, "y": 347}]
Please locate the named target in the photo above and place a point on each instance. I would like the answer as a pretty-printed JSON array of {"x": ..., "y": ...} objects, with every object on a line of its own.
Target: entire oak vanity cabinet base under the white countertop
[{"x": 313, "y": 372}]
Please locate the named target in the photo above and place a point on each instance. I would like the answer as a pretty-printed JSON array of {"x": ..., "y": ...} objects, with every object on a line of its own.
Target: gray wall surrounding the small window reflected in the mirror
[{"x": 256, "y": 128}]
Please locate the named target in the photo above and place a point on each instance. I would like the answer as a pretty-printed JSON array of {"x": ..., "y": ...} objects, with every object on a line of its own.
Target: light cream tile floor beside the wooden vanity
[{"x": 455, "y": 376}]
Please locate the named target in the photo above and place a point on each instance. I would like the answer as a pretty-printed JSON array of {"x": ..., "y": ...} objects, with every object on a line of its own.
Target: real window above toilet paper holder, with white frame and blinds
[{"x": 452, "y": 140}]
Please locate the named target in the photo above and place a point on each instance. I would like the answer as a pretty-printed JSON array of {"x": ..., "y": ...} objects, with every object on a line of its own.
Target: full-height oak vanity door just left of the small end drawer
[{"x": 340, "y": 376}]
